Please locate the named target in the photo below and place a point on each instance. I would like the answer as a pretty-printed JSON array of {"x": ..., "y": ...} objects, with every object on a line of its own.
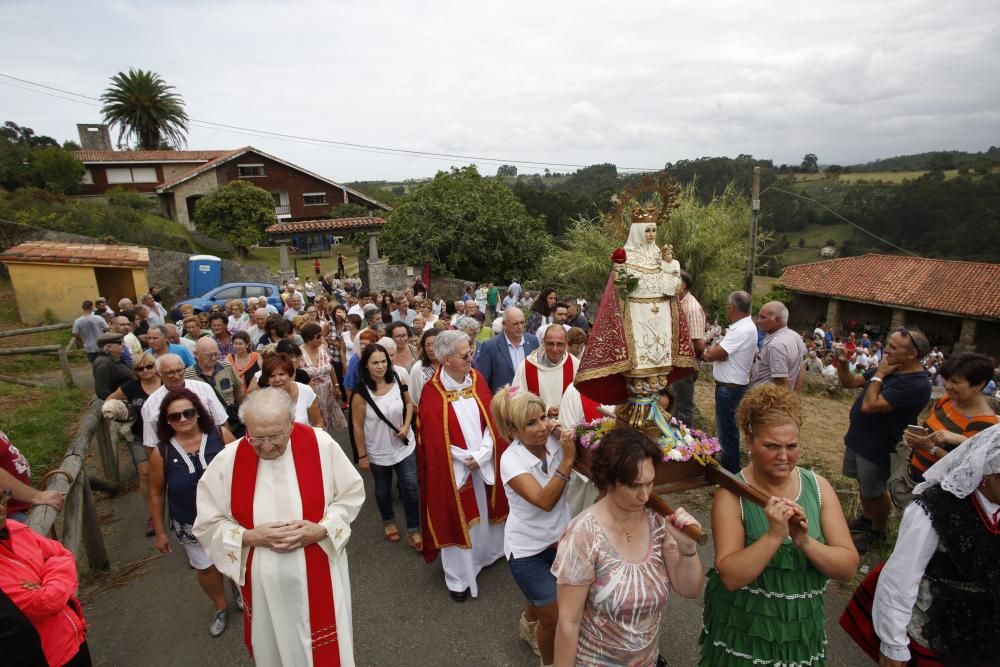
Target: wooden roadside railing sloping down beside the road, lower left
[{"x": 80, "y": 522}]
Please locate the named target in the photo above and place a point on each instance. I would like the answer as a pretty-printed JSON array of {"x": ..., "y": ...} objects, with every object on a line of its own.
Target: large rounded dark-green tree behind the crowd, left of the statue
[{"x": 466, "y": 226}]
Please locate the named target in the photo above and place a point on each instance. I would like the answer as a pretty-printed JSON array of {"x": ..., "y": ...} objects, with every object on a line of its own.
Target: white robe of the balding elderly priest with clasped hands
[{"x": 280, "y": 632}]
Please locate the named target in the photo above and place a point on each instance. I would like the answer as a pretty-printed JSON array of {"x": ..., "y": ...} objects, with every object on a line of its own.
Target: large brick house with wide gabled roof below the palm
[{"x": 178, "y": 179}]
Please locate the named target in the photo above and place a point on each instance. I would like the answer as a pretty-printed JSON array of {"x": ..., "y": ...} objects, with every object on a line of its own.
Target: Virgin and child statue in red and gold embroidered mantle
[{"x": 639, "y": 344}]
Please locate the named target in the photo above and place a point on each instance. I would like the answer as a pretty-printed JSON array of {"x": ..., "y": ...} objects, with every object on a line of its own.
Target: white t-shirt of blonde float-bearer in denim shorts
[{"x": 530, "y": 529}]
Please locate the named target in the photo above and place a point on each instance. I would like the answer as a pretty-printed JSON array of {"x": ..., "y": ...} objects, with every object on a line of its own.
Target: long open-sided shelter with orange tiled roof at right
[{"x": 956, "y": 303}]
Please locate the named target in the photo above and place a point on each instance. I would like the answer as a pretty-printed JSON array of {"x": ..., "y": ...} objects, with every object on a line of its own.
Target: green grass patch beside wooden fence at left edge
[{"x": 41, "y": 422}]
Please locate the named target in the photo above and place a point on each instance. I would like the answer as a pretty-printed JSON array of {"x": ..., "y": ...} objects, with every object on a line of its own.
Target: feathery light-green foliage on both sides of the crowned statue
[{"x": 709, "y": 241}]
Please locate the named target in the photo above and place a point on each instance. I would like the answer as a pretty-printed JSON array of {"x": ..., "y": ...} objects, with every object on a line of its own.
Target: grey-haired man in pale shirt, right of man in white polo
[{"x": 780, "y": 359}]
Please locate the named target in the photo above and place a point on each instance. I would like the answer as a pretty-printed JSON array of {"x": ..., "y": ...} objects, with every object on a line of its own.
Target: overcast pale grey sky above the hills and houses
[{"x": 558, "y": 83}]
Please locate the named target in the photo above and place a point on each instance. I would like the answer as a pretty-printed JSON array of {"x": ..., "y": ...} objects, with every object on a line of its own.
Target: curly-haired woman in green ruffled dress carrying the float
[{"x": 764, "y": 598}]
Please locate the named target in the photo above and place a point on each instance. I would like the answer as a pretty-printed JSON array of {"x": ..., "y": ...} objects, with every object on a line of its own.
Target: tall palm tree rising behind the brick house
[{"x": 143, "y": 107}]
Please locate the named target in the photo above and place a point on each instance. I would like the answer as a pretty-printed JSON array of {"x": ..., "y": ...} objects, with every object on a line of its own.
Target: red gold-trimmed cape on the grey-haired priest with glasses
[{"x": 446, "y": 511}]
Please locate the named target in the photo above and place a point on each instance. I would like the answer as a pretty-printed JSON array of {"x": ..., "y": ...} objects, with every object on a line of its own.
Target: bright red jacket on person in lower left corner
[{"x": 27, "y": 557}]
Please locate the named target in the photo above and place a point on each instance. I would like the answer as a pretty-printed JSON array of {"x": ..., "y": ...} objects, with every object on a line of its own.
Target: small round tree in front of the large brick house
[{"x": 238, "y": 212}]
